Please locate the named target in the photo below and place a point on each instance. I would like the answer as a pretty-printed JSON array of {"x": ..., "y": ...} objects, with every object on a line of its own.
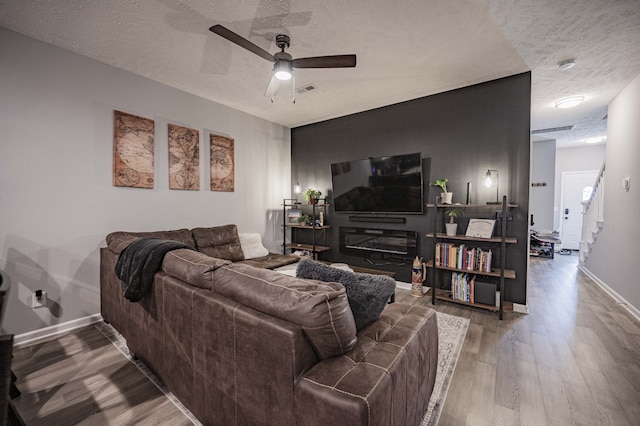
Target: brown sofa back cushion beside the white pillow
[{"x": 219, "y": 241}]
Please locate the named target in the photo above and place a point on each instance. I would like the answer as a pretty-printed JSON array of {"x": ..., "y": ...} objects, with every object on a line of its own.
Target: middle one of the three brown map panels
[{"x": 184, "y": 158}]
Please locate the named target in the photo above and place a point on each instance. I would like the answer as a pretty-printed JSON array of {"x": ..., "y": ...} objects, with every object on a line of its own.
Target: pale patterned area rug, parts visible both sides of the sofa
[{"x": 451, "y": 333}]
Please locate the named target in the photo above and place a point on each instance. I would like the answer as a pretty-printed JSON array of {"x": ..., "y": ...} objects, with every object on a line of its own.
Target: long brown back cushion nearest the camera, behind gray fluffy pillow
[{"x": 320, "y": 309}]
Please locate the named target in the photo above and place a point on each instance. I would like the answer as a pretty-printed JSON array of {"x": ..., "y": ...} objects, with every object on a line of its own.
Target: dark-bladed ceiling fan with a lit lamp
[{"x": 283, "y": 62}]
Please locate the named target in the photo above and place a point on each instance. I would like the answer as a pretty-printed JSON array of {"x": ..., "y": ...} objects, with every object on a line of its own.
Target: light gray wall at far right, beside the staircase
[{"x": 614, "y": 256}]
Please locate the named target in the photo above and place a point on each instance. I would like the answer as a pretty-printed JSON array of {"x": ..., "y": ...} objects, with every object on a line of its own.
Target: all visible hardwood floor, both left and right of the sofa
[{"x": 574, "y": 359}]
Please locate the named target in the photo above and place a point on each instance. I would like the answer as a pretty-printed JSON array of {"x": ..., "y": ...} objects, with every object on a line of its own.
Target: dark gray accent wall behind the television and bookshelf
[{"x": 460, "y": 133}]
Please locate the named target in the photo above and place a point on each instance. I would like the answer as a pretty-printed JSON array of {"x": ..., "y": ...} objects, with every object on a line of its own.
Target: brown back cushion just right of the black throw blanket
[{"x": 192, "y": 267}]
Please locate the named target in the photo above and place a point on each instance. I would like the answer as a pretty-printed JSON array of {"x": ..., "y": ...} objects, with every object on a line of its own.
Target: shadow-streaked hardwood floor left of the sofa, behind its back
[{"x": 82, "y": 379}]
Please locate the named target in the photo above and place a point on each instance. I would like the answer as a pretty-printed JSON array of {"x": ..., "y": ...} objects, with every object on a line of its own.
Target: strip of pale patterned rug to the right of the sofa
[{"x": 451, "y": 333}]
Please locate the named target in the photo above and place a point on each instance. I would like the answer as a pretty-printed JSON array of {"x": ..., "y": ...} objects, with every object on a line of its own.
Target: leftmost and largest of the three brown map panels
[{"x": 133, "y": 139}]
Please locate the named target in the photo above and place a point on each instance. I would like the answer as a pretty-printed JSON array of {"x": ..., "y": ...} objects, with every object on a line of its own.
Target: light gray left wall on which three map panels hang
[{"x": 57, "y": 201}]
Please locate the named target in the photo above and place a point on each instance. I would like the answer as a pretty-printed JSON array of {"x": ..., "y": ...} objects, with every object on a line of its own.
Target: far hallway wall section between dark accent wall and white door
[{"x": 543, "y": 163}]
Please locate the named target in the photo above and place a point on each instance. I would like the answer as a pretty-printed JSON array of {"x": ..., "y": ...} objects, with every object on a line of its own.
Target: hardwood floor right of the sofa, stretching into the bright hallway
[{"x": 573, "y": 359}]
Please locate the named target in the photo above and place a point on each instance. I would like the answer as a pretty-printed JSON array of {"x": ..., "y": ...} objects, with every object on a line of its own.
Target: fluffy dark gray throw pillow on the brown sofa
[{"x": 367, "y": 294}]
